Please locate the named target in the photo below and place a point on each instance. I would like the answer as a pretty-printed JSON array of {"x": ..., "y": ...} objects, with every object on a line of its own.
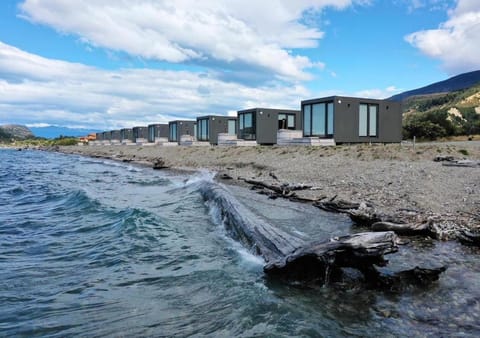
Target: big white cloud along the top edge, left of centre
[{"x": 247, "y": 32}]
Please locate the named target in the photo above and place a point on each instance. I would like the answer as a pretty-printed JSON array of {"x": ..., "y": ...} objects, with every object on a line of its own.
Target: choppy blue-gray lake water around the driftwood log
[{"x": 99, "y": 248}]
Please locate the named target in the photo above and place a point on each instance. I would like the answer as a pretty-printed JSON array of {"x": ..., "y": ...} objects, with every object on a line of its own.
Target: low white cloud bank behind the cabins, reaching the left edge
[{"x": 37, "y": 90}]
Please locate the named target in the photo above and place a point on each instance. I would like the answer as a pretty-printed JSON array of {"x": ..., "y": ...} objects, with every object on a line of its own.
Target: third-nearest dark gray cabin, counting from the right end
[{"x": 208, "y": 127}]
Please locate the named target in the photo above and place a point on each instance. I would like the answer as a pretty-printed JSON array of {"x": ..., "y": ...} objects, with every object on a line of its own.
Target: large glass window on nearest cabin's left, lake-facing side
[{"x": 318, "y": 119}]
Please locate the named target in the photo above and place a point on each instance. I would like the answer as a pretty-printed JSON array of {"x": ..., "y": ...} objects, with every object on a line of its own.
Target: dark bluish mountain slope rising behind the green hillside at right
[{"x": 452, "y": 84}]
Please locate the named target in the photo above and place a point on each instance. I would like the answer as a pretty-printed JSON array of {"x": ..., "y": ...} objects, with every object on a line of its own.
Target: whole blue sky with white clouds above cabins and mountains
[{"x": 103, "y": 65}]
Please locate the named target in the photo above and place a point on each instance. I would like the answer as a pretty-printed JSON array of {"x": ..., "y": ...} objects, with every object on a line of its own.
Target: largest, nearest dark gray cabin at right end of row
[{"x": 352, "y": 119}]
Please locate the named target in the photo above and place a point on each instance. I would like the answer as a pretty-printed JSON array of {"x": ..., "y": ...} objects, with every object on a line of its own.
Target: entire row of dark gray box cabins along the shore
[{"x": 323, "y": 121}]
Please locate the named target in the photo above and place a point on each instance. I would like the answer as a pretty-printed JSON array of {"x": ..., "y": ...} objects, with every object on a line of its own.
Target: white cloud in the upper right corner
[{"x": 456, "y": 42}]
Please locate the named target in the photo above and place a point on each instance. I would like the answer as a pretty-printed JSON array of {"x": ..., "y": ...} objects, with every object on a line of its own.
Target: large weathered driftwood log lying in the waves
[{"x": 290, "y": 257}]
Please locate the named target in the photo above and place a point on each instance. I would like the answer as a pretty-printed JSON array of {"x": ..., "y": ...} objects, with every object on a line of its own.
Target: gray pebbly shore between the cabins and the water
[{"x": 393, "y": 180}]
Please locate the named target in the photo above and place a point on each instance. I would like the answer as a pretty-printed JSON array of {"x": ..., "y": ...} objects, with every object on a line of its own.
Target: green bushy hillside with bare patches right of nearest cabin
[{"x": 442, "y": 115}]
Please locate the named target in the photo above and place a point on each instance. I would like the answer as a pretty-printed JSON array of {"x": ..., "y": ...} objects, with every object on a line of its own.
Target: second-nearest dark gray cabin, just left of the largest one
[{"x": 262, "y": 124}]
